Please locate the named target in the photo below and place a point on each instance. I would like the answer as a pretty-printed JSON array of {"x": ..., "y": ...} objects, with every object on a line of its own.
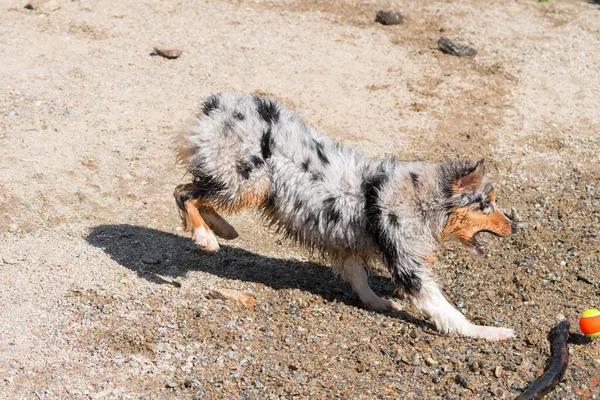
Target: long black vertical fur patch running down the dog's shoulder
[{"x": 403, "y": 277}]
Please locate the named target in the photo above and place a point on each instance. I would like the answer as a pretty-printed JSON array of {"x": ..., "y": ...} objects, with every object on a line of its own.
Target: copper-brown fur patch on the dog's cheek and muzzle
[{"x": 463, "y": 223}]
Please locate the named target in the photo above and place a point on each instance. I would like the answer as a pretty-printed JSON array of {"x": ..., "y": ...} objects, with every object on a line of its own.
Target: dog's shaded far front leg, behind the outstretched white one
[{"x": 354, "y": 273}]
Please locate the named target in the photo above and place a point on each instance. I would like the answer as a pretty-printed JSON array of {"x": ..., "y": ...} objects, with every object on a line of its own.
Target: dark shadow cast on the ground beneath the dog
[{"x": 154, "y": 254}]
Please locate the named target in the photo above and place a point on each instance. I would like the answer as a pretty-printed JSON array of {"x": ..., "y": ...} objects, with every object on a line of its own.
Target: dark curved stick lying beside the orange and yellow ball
[{"x": 558, "y": 364}]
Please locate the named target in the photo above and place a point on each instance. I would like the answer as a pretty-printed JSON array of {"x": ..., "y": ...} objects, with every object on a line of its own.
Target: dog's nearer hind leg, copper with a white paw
[{"x": 188, "y": 203}]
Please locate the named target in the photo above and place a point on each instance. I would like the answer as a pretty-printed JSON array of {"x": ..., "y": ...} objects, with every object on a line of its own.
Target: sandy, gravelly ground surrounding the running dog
[{"x": 101, "y": 294}]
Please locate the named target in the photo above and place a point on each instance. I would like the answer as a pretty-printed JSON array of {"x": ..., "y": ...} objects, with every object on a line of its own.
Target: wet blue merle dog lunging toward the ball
[{"x": 249, "y": 152}]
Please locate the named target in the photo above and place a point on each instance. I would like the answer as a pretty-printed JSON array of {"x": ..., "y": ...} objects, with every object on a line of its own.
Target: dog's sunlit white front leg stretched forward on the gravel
[{"x": 431, "y": 302}]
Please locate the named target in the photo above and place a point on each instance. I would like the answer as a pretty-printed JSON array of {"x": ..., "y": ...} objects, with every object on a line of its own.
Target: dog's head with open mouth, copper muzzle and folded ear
[{"x": 470, "y": 206}]
